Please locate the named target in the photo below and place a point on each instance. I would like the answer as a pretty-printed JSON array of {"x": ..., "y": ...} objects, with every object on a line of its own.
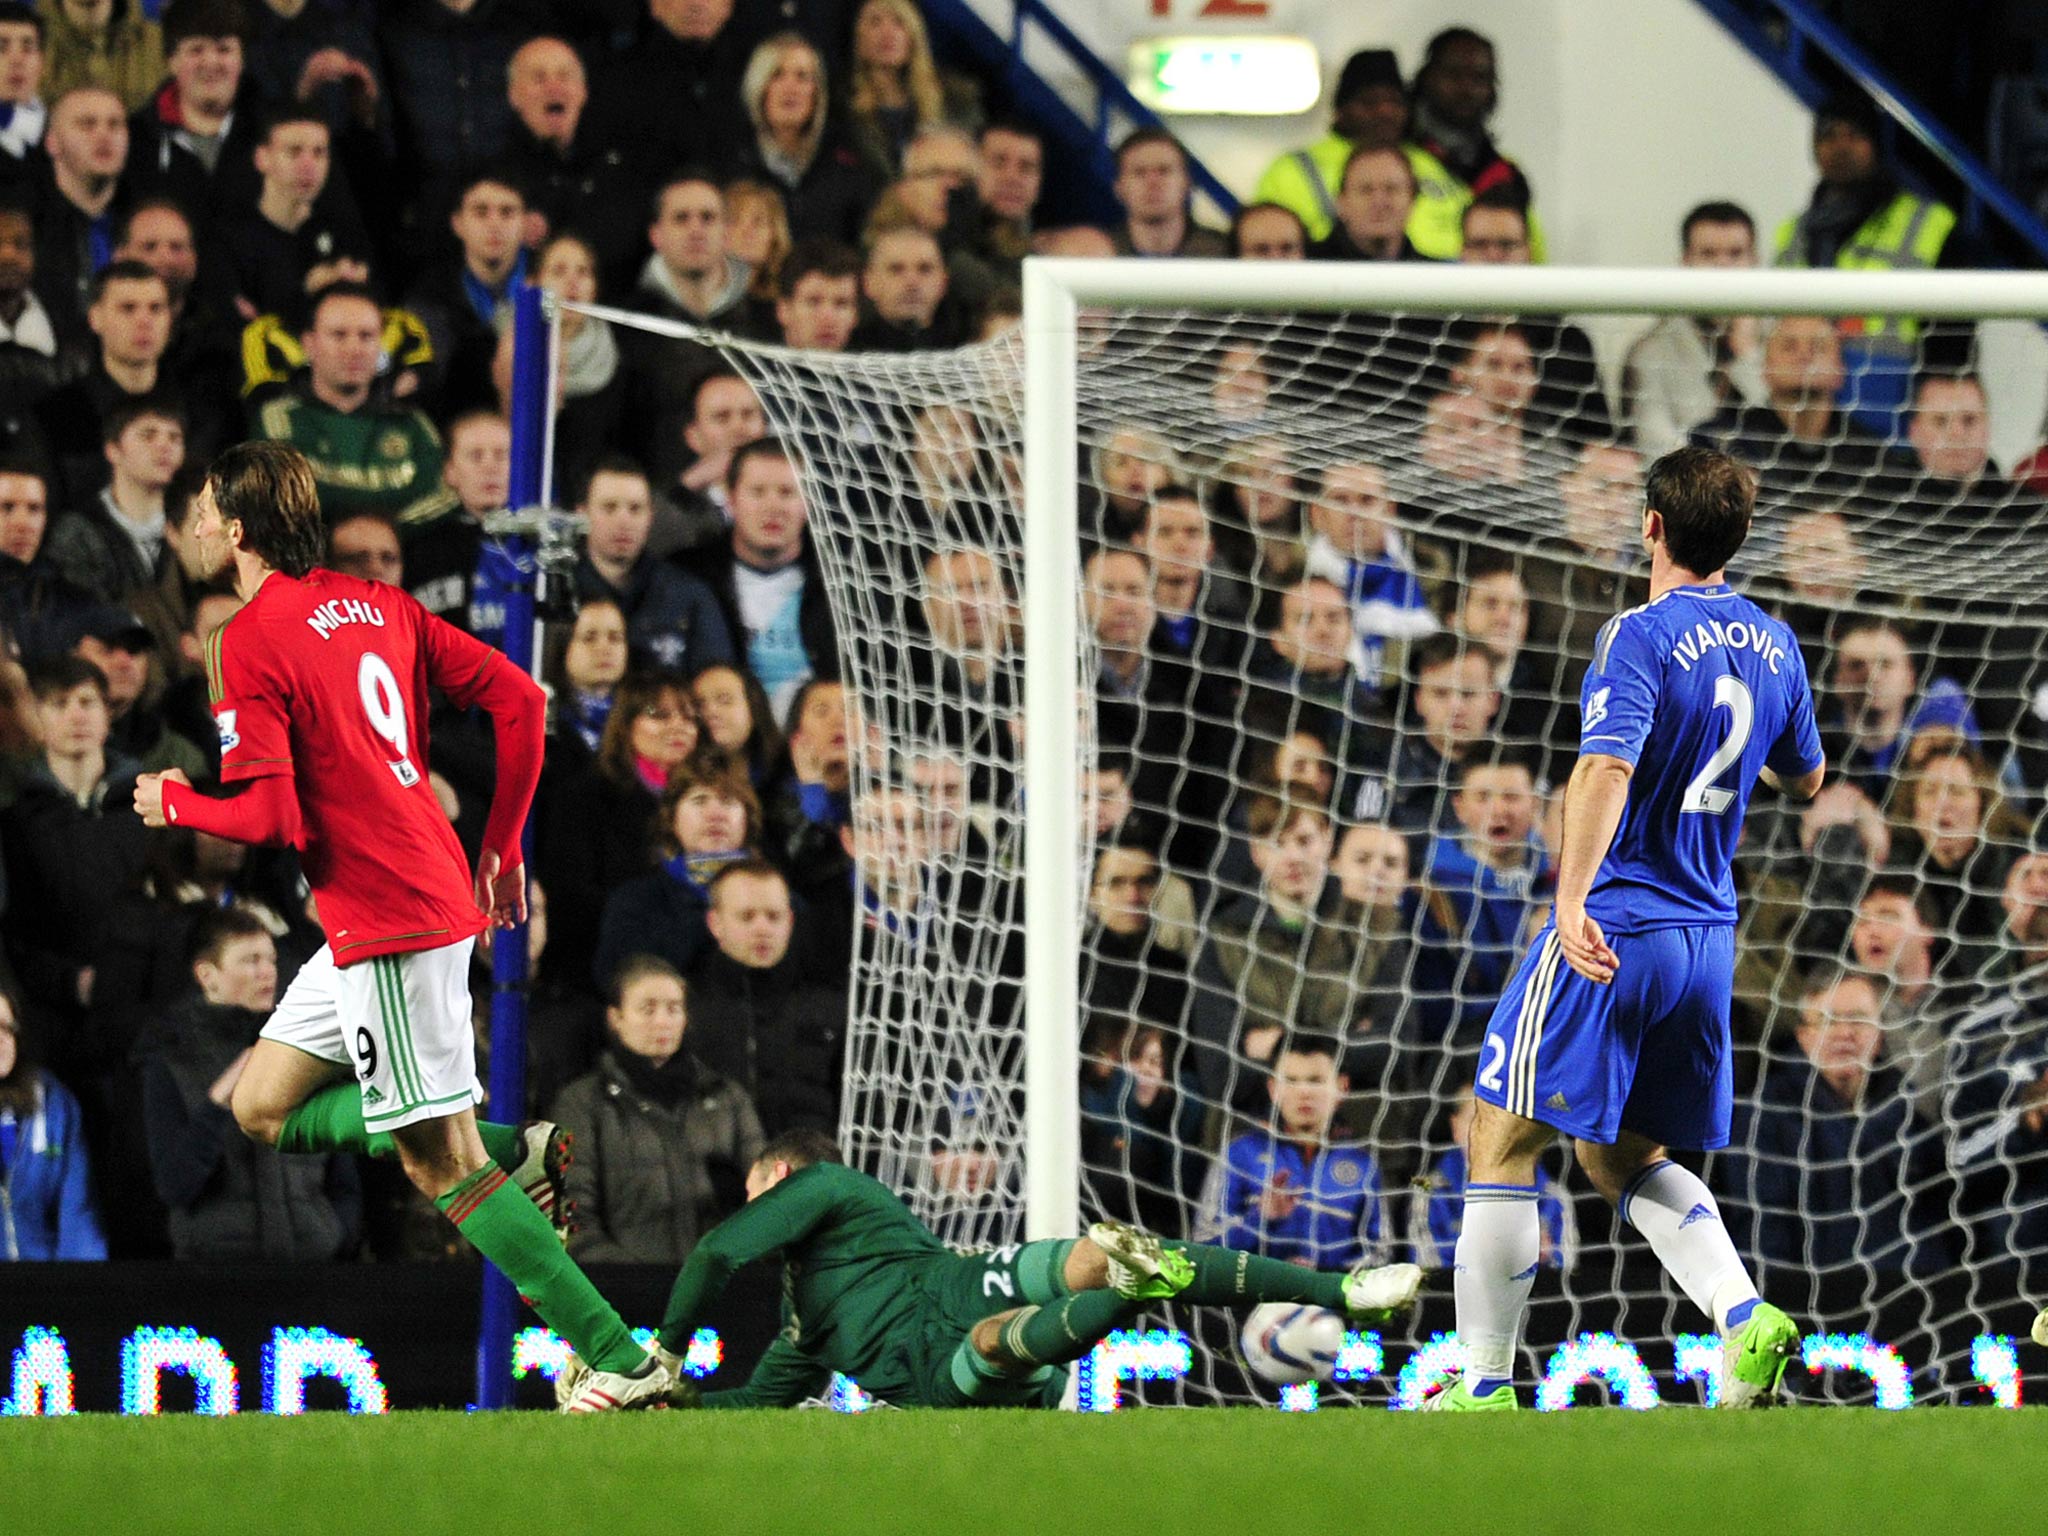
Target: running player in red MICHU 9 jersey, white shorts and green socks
[{"x": 321, "y": 689}]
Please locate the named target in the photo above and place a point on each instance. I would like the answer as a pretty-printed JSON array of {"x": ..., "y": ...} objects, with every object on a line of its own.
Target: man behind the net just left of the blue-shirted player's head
[{"x": 1592, "y": 568}]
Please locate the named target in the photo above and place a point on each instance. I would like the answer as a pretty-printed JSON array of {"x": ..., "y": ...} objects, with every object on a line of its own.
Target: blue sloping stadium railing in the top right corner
[{"x": 1811, "y": 54}]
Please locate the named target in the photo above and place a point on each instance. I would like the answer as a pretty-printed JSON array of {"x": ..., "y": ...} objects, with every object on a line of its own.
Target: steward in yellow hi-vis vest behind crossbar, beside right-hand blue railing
[{"x": 1863, "y": 220}]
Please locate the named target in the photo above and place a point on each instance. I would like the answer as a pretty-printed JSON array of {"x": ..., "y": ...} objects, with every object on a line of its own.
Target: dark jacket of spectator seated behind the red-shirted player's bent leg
[{"x": 230, "y": 1197}]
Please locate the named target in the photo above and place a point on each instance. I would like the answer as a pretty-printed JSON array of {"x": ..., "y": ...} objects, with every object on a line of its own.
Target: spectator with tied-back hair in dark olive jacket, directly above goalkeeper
[{"x": 665, "y": 1142}]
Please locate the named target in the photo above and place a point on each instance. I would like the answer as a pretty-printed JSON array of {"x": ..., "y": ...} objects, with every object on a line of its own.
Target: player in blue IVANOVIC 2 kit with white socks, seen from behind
[{"x": 1615, "y": 1031}]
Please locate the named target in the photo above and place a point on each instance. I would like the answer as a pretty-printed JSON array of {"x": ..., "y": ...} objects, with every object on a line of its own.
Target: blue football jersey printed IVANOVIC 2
[{"x": 1701, "y": 691}]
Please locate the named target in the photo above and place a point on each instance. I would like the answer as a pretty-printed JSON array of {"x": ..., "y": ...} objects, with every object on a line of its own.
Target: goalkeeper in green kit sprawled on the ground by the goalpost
[{"x": 871, "y": 1293}]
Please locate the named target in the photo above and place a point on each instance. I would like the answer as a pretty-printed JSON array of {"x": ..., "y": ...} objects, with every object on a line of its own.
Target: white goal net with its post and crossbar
[{"x": 1199, "y": 923}]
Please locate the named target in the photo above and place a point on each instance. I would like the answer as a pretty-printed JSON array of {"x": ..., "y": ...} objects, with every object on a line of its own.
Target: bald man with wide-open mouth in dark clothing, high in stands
[{"x": 568, "y": 171}]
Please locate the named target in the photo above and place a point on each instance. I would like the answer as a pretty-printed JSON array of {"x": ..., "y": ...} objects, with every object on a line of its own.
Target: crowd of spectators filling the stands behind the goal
[{"x": 1334, "y": 697}]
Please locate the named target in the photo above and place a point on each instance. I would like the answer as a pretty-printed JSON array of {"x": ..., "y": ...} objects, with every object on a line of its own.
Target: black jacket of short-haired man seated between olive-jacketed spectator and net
[{"x": 773, "y": 1033}]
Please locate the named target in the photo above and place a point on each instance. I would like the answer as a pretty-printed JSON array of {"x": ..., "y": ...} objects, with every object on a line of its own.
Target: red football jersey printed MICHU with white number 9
[{"x": 325, "y": 679}]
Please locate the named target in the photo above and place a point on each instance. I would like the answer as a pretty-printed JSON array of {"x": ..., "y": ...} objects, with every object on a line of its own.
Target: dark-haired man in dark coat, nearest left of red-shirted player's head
[{"x": 114, "y": 546}]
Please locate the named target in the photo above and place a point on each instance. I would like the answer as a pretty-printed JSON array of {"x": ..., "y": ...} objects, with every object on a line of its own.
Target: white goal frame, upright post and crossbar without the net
[{"x": 1056, "y": 294}]
